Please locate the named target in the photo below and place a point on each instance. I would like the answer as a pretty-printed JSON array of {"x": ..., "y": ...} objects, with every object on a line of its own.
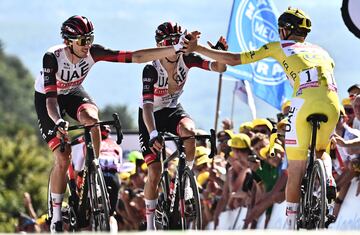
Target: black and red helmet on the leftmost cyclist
[{"x": 76, "y": 26}]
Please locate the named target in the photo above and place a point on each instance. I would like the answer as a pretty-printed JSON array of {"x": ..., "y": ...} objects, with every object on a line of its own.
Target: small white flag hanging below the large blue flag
[{"x": 243, "y": 92}]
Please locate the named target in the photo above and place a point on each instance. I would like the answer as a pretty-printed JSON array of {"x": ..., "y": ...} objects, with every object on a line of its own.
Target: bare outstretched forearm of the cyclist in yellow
[{"x": 223, "y": 57}]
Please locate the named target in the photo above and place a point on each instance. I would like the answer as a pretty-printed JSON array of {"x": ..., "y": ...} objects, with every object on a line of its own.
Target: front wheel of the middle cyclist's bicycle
[{"x": 190, "y": 206}]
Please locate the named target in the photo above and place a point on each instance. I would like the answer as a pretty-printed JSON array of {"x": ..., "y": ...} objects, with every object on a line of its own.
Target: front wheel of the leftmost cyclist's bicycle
[{"x": 99, "y": 200}]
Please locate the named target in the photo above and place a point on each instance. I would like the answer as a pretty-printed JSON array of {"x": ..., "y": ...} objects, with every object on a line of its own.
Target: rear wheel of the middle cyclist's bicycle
[{"x": 161, "y": 212}]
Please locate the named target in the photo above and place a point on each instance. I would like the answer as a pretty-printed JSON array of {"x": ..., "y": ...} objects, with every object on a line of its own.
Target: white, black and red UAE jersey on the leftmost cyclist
[{"x": 59, "y": 76}]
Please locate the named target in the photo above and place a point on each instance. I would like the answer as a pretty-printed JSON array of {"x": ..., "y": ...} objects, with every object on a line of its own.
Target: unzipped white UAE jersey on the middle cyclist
[{"x": 155, "y": 80}]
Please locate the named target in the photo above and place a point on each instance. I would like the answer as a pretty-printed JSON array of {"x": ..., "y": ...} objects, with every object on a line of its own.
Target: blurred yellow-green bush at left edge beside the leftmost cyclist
[{"x": 24, "y": 168}]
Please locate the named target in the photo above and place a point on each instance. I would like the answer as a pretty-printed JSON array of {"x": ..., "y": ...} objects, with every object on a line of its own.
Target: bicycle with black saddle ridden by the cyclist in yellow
[{"x": 314, "y": 207}]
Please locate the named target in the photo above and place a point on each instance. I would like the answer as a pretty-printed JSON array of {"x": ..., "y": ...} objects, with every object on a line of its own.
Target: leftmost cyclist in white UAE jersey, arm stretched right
[{"x": 58, "y": 91}]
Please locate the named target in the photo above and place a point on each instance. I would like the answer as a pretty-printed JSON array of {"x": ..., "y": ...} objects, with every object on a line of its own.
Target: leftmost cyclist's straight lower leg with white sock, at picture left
[{"x": 58, "y": 181}]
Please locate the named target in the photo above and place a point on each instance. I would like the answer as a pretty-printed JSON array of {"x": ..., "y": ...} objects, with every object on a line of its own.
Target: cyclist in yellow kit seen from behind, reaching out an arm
[{"x": 310, "y": 70}]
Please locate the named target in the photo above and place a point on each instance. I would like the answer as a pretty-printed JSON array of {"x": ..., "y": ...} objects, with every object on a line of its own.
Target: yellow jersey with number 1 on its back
[{"x": 306, "y": 65}]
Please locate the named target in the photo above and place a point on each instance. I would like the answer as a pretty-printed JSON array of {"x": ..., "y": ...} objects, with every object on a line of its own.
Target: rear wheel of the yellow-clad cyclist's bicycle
[{"x": 317, "y": 196}]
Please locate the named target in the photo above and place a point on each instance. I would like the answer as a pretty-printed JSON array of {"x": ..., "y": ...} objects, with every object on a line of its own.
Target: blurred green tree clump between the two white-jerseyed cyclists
[{"x": 124, "y": 115}]
